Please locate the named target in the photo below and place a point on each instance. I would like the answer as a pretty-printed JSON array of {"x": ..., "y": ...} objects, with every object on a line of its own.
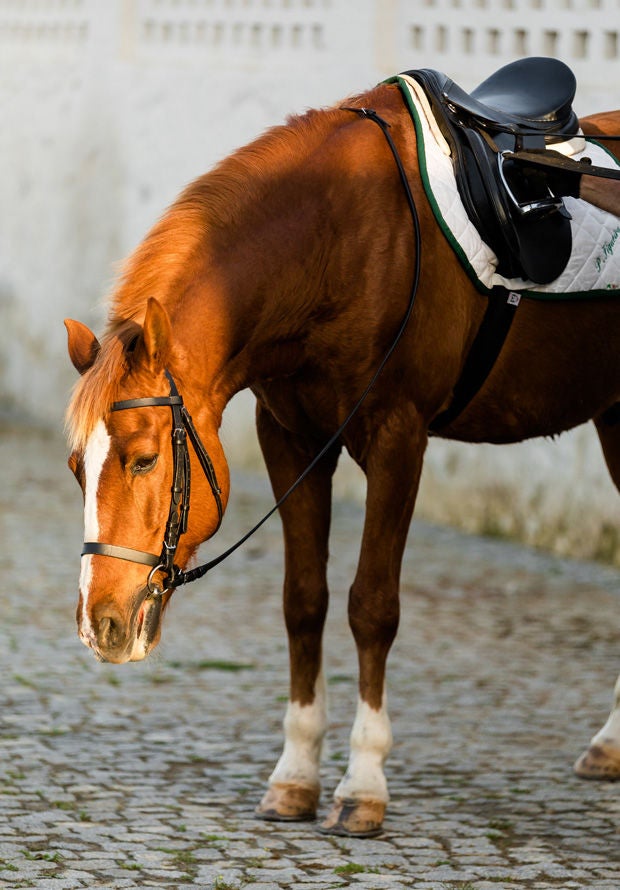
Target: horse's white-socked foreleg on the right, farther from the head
[{"x": 393, "y": 471}]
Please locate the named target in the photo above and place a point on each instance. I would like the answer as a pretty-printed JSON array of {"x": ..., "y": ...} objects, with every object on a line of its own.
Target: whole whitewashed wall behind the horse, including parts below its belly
[{"x": 110, "y": 107}]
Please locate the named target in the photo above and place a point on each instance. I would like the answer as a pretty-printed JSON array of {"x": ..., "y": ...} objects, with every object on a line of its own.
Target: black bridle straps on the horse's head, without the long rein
[{"x": 182, "y": 429}]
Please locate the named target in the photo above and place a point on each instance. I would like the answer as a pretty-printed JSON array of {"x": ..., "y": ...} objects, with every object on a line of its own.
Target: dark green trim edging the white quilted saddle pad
[{"x": 600, "y": 293}]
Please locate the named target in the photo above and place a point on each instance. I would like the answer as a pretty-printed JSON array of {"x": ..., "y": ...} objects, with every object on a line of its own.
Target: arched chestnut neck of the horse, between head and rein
[{"x": 283, "y": 245}]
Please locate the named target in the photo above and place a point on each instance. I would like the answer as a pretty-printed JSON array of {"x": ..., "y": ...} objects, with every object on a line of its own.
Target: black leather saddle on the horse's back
[{"x": 516, "y": 207}]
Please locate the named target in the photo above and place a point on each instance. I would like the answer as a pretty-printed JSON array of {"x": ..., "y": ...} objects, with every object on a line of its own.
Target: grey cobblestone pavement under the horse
[{"x": 147, "y": 775}]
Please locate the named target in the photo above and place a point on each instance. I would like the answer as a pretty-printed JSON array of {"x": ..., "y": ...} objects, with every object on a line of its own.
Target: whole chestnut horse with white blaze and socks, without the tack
[{"x": 288, "y": 269}]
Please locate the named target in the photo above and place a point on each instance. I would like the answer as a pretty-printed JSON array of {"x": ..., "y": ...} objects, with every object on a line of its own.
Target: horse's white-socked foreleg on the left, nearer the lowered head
[{"x": 294, "y": 785}]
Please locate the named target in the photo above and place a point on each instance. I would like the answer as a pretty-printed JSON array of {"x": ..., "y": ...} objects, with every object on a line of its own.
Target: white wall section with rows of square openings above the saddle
[{"x": 471, "y": 38}]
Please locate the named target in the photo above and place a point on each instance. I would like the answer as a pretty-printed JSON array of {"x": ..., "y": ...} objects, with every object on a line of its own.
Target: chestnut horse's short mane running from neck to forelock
[{"x": 211, "y": 204}]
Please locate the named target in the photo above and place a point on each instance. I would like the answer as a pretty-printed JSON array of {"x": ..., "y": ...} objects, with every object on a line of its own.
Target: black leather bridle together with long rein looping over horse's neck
[{"x": 183, "y": 428}]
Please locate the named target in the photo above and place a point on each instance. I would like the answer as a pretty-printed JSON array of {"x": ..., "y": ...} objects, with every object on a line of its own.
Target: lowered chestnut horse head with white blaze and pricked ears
[{"x": 124, "y": 462}]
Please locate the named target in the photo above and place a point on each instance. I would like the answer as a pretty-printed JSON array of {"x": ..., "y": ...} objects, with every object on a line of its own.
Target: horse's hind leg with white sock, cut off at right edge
[{"x": 602, "y": 759}]
